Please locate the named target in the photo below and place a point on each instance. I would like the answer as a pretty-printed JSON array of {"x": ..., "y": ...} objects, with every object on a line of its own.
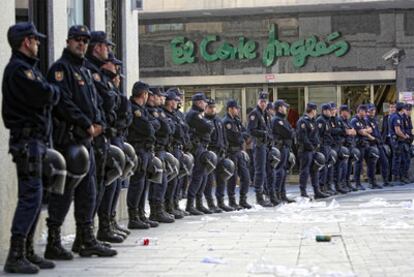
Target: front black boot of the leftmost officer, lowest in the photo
[{"x": 16, "y": 260}]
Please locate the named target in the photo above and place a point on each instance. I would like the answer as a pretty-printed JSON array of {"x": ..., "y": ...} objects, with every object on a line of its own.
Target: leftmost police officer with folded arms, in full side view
[{"x": 27, "y": 101}]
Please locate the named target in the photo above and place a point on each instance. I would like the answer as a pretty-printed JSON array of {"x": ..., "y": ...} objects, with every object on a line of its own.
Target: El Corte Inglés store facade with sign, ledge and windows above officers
[{"x": 300, "y": 57}]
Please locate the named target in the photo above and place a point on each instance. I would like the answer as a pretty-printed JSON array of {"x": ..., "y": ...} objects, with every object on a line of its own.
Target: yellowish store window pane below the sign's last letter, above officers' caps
[{"x": 353, "y": 96}]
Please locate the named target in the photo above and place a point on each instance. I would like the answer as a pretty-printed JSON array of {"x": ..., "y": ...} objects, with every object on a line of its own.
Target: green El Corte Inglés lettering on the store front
[{"x": 211, "y": 49}]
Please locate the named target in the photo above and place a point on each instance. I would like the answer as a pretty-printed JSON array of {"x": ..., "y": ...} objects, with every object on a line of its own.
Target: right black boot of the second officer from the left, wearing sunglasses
[{"x": 90, "y": 246}]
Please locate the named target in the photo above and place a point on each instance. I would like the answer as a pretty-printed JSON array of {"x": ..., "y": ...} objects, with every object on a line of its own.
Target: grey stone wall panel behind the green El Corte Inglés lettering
[{"x": 370, "y": 34}]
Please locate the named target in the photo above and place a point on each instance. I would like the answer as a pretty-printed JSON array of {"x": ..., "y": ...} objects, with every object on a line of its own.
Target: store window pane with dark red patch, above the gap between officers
[{"x": 294, "y": 96}]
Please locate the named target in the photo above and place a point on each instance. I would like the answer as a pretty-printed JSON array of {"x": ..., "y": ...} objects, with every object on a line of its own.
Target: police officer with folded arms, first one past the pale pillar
[{"x": 141, "y": 135}]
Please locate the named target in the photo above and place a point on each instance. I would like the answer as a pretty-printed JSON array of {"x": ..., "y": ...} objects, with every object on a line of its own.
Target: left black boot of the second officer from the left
[{"x": 54, "y": 248}]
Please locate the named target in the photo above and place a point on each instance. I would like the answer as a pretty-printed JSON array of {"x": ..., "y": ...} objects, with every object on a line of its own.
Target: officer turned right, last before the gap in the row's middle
[{"x": 283, "y": 134}]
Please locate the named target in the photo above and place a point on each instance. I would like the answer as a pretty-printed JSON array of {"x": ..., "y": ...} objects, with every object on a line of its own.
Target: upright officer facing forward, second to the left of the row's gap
[{"x": 258, "y": 127}]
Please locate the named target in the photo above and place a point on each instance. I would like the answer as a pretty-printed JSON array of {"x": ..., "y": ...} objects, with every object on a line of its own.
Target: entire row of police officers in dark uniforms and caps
[{"x": 74, "y": 136}]
